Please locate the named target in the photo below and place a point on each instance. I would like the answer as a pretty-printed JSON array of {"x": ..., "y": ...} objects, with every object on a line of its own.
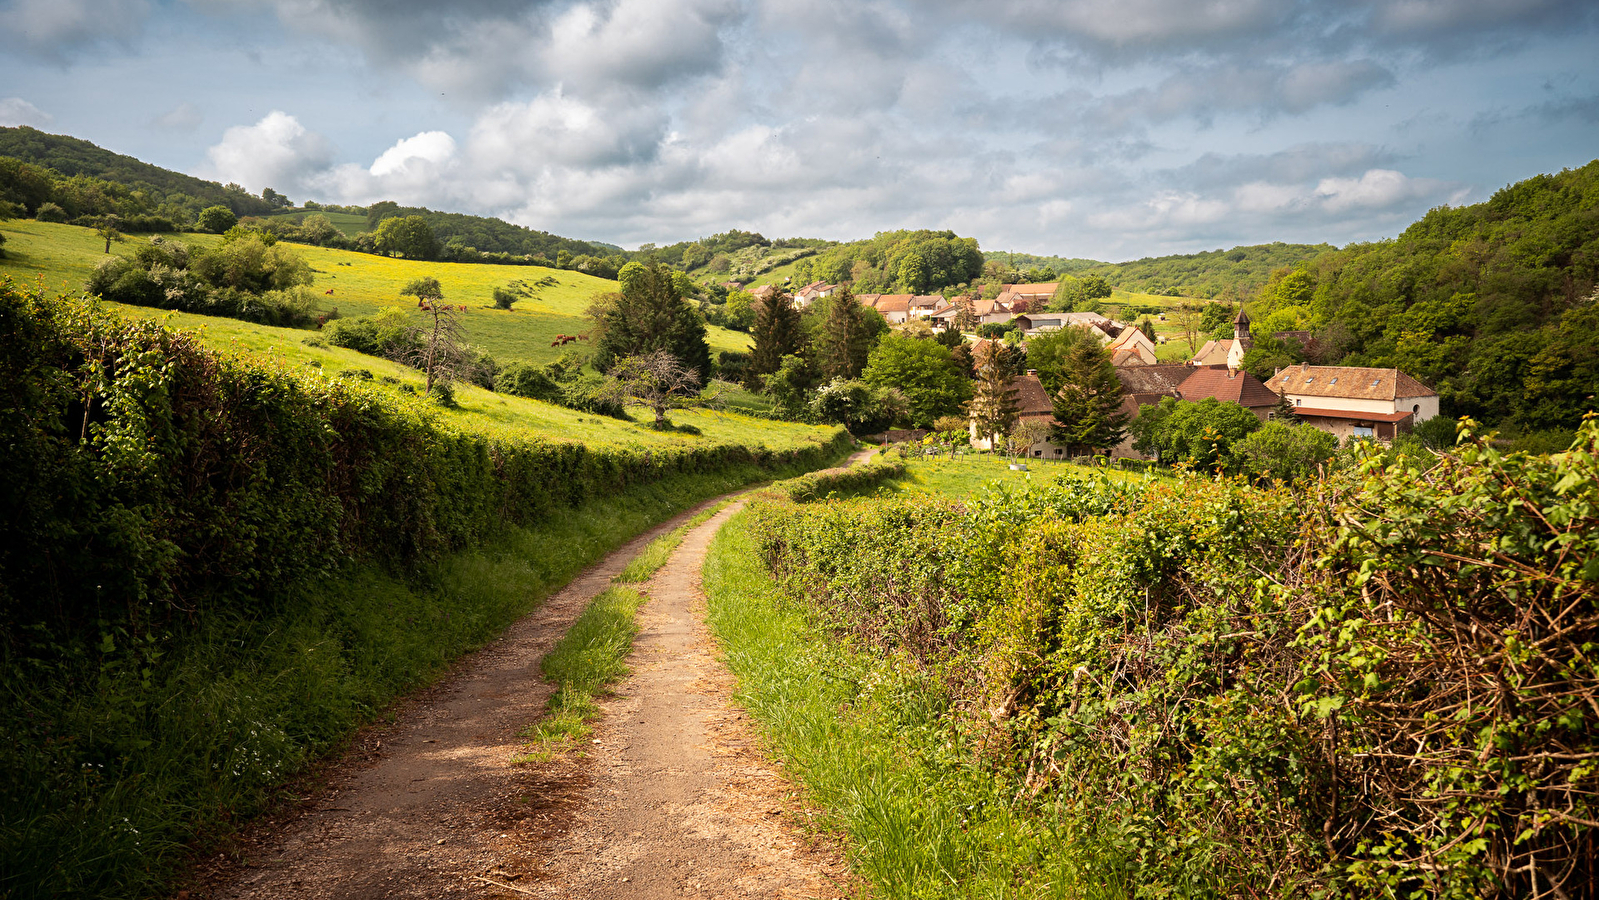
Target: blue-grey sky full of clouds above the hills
[{"x": 1099, "y": 129}]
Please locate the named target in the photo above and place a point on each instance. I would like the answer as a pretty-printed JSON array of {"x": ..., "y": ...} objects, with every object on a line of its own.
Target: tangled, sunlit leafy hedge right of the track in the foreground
[{"x": 1382, "y": 687}]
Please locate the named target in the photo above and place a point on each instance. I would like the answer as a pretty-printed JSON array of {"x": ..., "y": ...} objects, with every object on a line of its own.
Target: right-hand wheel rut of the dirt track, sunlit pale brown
[{"x": 680, "y": 805}]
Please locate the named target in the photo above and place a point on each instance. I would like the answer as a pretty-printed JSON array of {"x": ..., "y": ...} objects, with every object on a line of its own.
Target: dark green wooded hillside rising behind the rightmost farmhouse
[{"x": 1494, "y": 306}]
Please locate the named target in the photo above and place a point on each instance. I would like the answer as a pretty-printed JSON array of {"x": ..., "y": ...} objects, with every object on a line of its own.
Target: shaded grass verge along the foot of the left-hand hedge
[{"x": 199, "y": 739}]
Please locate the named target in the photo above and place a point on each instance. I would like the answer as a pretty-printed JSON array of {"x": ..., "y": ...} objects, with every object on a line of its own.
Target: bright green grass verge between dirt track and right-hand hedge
[{"x": 864, "y": 736}]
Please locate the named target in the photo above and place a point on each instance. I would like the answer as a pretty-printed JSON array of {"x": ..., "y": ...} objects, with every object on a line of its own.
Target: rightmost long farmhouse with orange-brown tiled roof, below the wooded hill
[{"x": 1354, "y": 402}]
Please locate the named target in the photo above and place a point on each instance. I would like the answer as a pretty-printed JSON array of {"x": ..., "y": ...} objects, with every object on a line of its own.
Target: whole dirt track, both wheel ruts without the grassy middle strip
[{"x": 671, "y": 800}]
